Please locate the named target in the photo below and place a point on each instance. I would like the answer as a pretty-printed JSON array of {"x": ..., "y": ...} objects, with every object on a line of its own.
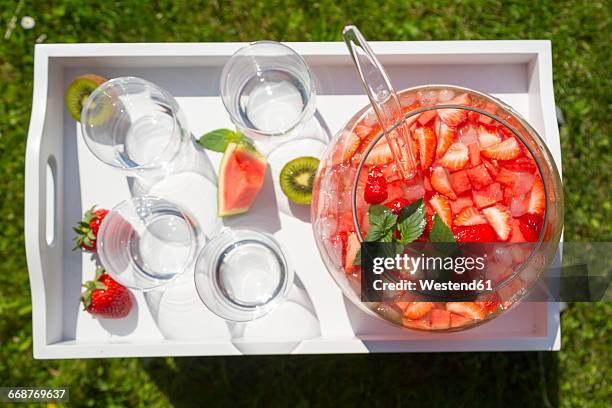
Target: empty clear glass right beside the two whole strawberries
[{"x": 146, "y": 242}]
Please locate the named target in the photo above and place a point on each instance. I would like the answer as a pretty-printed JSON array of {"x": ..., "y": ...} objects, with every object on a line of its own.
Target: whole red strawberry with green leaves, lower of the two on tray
[{"x": 105, "y": 297}]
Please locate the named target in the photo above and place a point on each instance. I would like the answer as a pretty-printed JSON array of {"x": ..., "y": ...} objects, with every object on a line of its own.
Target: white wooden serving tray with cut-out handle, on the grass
[{"x": 63, "y": 179}]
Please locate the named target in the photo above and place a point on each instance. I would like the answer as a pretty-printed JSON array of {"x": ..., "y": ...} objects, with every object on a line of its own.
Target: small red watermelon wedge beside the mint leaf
[{"x": 241, "y": 176}]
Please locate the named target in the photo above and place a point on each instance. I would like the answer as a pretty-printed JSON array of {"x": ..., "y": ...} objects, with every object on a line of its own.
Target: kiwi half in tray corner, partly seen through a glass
[{"x": 77, "y": 93}]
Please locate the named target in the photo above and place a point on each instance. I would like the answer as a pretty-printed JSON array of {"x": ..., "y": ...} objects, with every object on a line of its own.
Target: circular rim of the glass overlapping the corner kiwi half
[{"x": 130, "y": 79}]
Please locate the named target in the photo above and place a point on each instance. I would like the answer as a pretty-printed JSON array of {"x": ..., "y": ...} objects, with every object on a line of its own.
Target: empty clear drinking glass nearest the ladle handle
[{"x": 267, "y": 89}]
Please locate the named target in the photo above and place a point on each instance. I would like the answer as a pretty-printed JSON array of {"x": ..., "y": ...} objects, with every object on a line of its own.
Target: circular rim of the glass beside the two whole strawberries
[{"x": 104, "y": 260}]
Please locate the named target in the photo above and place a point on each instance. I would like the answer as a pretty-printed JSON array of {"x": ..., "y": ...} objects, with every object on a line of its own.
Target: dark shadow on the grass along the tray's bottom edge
[{"x": 422, "y": 379}]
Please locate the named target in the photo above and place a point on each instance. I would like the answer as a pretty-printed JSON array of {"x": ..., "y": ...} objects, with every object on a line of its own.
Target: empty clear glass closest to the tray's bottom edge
[{"x": 242, "y": 274}]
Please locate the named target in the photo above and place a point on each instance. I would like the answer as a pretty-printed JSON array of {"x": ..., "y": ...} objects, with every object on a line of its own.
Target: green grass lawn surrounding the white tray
[{"x": 577, "y": 376}]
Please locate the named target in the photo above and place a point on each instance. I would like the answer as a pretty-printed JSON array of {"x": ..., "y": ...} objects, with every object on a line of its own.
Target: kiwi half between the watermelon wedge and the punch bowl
[{"x": 297, "y": 179}]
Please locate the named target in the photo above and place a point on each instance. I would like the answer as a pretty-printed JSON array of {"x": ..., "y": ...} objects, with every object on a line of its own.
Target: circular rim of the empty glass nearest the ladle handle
[{"x": 223, "y": 82}]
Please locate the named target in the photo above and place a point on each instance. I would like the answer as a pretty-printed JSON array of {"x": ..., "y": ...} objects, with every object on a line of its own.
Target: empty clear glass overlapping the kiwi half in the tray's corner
[{"x": 134, "y": 125}]
